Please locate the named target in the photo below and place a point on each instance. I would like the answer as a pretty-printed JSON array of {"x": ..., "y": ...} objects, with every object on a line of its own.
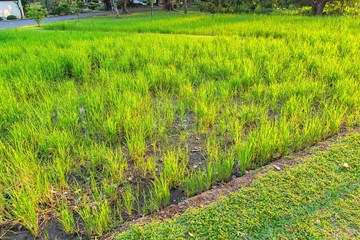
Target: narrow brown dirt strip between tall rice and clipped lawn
[{"x": 216, "y": 192}]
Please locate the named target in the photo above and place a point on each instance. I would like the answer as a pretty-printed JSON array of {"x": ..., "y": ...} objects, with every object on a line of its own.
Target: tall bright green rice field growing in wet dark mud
[{"x": 106, "y": 120}]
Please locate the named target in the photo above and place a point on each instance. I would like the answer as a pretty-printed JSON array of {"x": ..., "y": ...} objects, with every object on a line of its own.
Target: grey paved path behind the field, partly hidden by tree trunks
[{"x": 26, "y": 22}]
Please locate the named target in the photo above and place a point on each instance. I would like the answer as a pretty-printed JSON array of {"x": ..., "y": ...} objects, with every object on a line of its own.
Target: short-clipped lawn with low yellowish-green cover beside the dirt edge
[{"x": 319, "y": 198}]
